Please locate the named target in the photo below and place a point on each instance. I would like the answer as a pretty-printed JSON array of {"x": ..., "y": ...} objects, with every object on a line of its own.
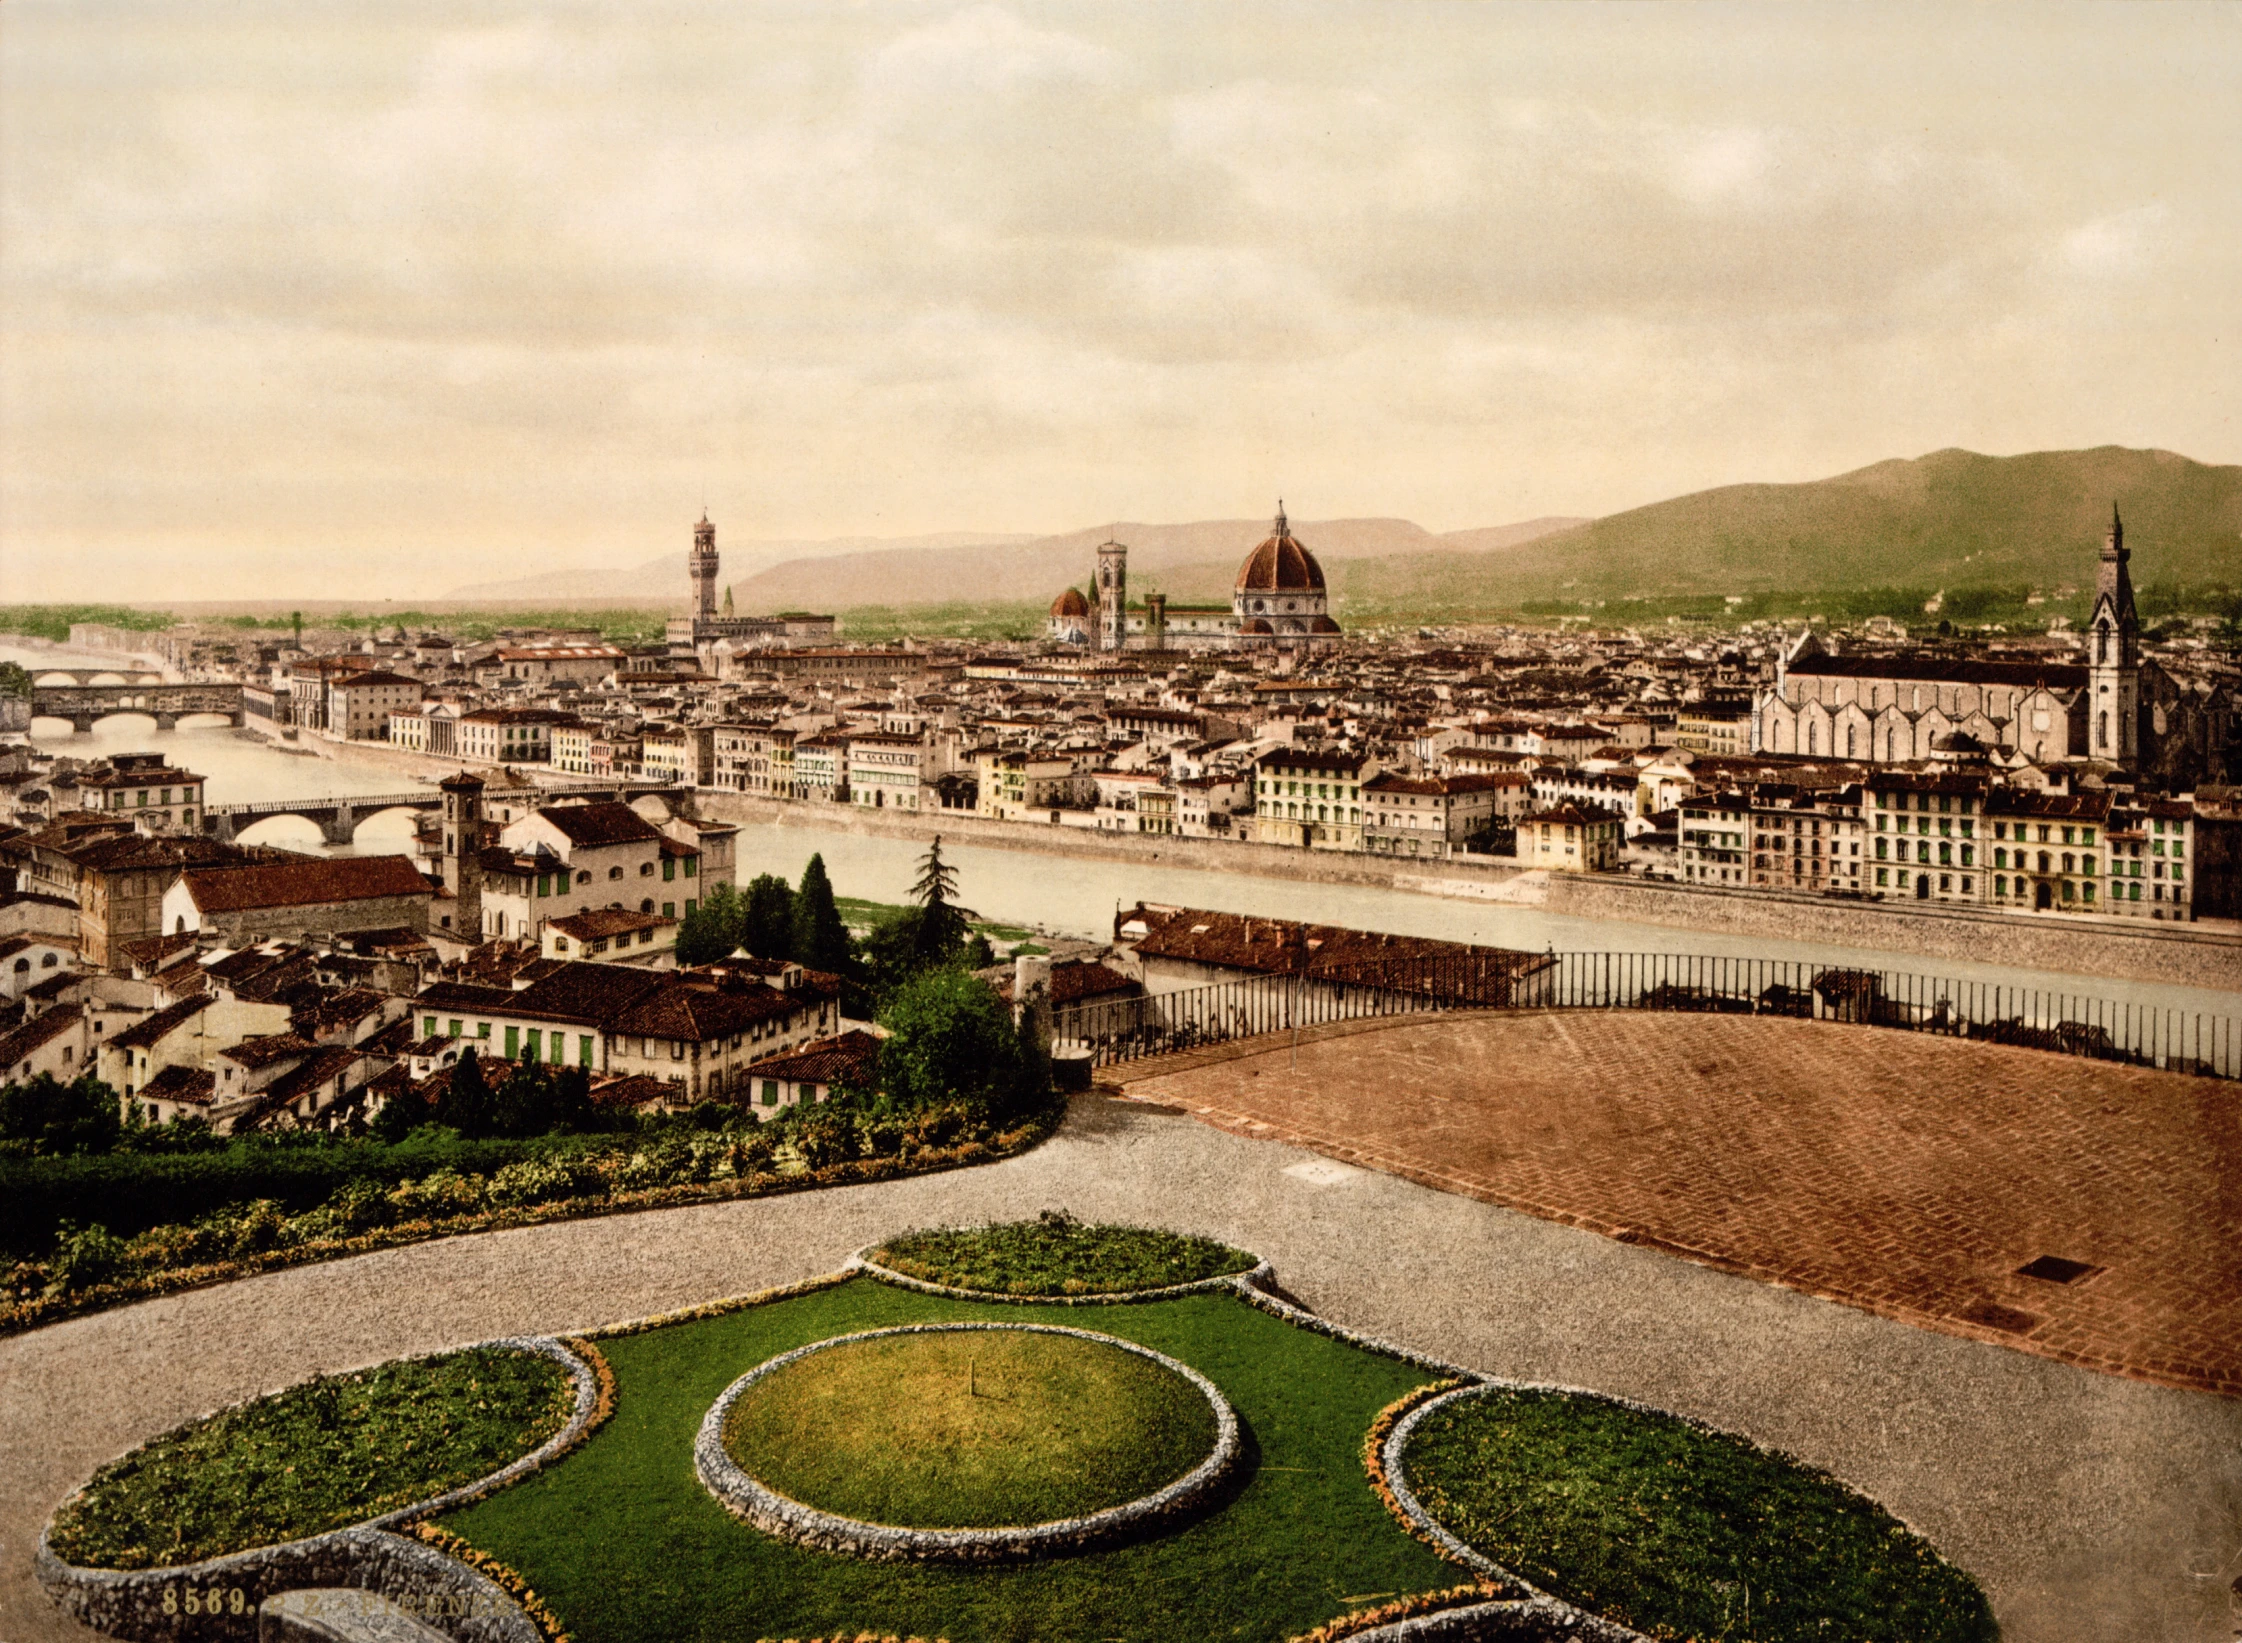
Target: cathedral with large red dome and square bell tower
[{"x": 1279, "y": 600}]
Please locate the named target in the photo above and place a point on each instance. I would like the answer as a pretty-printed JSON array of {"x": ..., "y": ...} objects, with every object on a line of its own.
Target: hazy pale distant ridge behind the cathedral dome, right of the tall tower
[{"x": 1185, "y": 561}]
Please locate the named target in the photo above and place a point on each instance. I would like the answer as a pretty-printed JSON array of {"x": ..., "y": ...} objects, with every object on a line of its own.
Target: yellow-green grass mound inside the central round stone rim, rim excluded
[{"x": 970, "y": 1429}]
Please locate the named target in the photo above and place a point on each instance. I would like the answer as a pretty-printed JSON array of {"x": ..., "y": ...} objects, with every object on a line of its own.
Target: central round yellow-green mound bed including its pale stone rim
[{"x": 967, "y": 1442}]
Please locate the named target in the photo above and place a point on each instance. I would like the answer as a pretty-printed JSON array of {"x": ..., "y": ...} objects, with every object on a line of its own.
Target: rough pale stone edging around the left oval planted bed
[{"x": 129, "y": 1604}]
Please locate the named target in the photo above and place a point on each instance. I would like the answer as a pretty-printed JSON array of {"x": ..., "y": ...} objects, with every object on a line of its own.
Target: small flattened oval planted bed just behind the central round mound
[{"x": 1059, "y": 1256}]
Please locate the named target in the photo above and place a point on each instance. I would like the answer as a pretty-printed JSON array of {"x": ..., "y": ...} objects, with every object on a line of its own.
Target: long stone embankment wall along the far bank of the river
[{"x": 2140, "y": 952}]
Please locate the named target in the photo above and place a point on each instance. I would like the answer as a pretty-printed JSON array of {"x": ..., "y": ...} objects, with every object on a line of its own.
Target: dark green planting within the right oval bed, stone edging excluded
[{"x": 1674, "y": 1530}]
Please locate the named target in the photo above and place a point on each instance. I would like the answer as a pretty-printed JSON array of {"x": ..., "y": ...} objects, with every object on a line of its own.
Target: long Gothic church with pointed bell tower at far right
[{"x": 1907, "y": 707}]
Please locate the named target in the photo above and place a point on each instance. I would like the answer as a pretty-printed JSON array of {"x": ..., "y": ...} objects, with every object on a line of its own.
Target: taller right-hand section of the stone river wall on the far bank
[{"x": 2171, "y": 954}]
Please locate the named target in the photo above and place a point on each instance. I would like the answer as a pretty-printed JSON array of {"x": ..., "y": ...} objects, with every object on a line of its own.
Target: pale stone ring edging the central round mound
[{"x": 828, "y": 1532}]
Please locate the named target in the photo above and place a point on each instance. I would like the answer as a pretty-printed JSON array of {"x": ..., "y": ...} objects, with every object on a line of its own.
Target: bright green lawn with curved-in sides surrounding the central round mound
[{"x": 627, "y": 1545}]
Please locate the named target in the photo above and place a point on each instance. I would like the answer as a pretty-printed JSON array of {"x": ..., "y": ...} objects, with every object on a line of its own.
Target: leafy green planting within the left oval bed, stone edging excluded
[{"x": 319, "y": 1456}]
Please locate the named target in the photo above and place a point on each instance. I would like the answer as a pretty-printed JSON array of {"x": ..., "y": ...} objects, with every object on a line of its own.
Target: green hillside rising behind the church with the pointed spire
[{"x": 1988, "y": 530}]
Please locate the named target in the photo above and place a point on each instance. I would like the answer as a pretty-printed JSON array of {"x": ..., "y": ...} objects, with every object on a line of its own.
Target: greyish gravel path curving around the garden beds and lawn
[{"x": 2088, "y": 1505}]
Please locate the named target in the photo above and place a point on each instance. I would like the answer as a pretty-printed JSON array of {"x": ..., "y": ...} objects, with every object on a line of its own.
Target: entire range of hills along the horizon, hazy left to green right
[{"x": 1952, "y": 519}]
